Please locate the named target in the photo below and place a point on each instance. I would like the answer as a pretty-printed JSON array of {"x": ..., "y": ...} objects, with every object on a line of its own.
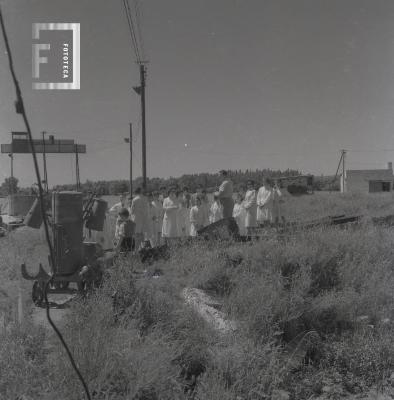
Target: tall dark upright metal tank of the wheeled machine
[{"x": 68, "y": 231}]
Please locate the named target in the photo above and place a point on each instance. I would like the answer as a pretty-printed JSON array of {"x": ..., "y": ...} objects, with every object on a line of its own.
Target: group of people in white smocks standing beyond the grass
[{"x": 160, "y": 217}]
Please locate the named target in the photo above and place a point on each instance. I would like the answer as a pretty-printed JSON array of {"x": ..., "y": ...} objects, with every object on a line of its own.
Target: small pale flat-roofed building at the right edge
[{"x": 368, "y": 180}]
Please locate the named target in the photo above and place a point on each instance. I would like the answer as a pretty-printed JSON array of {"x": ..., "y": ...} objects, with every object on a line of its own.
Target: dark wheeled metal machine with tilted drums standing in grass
[{"x": 67, "y": 216}]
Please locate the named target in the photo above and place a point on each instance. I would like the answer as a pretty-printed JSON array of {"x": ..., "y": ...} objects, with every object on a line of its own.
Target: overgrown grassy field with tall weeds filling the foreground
[{"x": 314, "y": 315}]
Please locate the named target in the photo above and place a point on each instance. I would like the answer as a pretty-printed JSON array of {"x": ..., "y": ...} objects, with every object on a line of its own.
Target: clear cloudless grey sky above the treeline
[{"x": 244, "y": 83}]
